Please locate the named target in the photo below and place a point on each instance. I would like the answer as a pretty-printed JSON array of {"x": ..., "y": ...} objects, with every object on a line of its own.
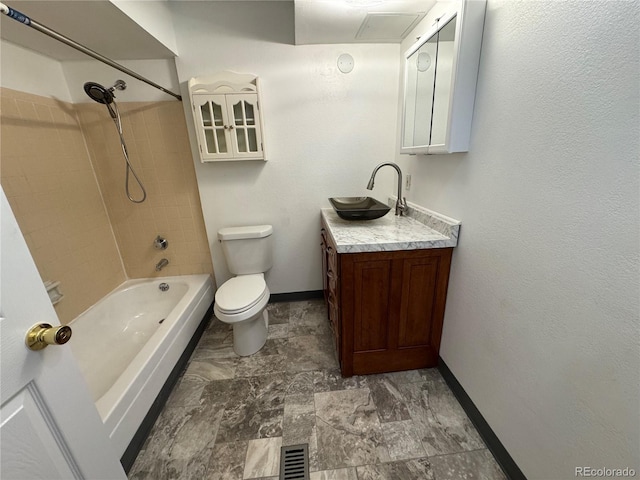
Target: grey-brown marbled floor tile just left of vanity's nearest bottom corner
[{"x": 310, "y": 352}]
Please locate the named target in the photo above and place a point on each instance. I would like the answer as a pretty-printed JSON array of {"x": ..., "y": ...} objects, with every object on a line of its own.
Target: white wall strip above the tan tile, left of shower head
[{"x": 28, "y": 71}]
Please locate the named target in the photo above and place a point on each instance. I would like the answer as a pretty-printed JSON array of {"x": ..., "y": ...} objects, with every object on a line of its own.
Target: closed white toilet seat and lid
[{"x": 239, "y": 296}]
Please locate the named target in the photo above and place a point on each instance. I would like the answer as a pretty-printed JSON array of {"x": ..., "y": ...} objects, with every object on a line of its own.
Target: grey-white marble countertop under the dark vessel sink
[{"x": 420, "y": 229}]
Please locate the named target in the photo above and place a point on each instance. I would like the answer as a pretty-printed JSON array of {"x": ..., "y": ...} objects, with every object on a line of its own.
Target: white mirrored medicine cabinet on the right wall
[{"x": 440, "y": 75}]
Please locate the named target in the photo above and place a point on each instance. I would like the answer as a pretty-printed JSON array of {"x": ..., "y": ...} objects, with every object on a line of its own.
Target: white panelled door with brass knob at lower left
[{"x": 50, "y": 428}]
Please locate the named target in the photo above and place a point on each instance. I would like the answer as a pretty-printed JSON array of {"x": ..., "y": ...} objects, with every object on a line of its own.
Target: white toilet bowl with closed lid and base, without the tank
[{"x": 241, "y": 302}]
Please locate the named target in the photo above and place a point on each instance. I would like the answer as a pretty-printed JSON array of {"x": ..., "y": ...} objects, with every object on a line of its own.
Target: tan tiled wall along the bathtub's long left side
[{"x": 49, "y": 182}]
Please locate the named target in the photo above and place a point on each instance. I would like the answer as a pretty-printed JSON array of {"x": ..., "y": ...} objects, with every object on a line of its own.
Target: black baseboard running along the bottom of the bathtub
[{"x": 132, "y": 451}]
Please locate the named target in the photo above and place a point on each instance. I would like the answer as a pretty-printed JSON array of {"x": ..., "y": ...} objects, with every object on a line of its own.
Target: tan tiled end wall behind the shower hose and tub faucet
[{"x": 158, "y": 146}]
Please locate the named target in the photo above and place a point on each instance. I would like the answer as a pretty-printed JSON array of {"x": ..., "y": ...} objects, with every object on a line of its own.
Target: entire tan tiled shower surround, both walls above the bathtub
[{"x": 63, "y": 173}]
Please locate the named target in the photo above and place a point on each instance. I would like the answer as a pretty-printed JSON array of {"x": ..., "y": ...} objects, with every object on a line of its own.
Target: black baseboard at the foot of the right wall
[{"x": 508, "y": 465}]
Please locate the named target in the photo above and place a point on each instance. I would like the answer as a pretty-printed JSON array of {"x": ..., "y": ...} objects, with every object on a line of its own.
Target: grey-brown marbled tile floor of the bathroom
[{"x": 228, "y": 416}]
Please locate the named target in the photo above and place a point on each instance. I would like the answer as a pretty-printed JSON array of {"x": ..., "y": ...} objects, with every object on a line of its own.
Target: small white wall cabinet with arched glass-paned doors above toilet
[{"x": 227, "y": 117}]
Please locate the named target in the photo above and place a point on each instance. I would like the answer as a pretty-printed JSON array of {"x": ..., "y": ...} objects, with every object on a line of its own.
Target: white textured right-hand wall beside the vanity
[{"x": 541, "y": 326}]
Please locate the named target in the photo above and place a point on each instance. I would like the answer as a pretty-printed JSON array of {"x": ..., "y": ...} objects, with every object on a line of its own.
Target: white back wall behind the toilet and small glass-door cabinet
[{"x": 325, "y": 131}]
